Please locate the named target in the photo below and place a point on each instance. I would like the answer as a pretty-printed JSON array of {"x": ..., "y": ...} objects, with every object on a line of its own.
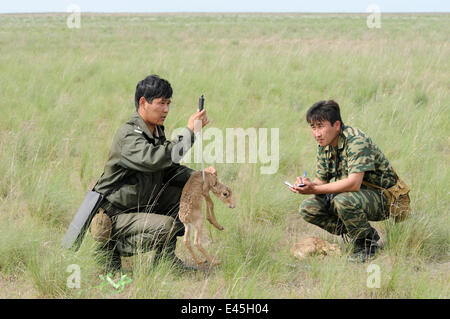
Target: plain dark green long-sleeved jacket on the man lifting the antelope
[{"x": 139, "y": 164}]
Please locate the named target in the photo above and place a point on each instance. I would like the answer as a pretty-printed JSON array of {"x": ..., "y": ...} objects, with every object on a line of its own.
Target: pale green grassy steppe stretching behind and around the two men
[{"x": 64, "y": 92}]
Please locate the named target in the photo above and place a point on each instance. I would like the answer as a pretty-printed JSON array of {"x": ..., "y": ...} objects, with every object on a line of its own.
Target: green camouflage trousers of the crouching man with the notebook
[{"x": 346, "y": 213}]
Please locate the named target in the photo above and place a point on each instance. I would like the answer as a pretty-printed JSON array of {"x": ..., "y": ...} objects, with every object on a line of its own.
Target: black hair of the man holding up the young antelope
[{"x": 152, "y": 87}]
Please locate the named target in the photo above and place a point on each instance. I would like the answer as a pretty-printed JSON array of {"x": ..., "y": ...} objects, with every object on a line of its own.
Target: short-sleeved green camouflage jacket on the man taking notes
[{"x": 355, "y": 153}]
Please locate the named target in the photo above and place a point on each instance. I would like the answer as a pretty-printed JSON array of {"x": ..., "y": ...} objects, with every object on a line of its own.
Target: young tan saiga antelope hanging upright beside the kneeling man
[{"x": 190, "y": 212}]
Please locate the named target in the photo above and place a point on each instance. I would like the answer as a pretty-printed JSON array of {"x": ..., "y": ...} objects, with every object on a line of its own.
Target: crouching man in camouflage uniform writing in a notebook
[{"x": 346, "y": 157}]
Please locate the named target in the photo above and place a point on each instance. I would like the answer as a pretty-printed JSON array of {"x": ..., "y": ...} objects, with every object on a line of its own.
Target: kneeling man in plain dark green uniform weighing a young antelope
[{"x": 142, "y": 180}]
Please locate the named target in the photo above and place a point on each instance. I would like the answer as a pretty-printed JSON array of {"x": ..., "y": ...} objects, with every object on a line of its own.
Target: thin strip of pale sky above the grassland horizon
[{"x": 26, "y": 6}]
